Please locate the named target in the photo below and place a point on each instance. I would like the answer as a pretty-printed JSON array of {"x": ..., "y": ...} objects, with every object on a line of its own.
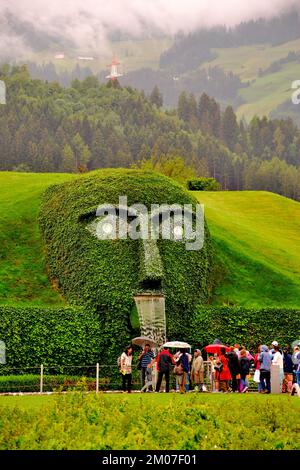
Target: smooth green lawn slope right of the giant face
[{"x": 257, "y": 242}]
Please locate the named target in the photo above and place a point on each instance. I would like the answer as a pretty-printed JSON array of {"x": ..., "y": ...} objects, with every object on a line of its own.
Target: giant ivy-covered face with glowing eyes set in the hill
[{"x": 106, "y": 273}]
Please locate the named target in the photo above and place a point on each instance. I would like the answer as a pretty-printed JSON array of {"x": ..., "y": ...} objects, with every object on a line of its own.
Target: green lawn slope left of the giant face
[{"x": 22, "y": 267}]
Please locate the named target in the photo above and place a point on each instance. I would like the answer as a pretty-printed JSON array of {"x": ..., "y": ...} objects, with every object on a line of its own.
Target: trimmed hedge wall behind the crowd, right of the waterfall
[{"x": 250, "y": 327}]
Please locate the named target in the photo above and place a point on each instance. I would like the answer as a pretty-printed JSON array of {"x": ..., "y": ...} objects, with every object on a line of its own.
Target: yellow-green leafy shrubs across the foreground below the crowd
[{"x": 193, "y": 422}]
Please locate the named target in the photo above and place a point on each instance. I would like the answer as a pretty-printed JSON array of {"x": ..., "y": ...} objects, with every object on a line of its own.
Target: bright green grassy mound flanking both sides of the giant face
[{"x": 256, "y": 237}]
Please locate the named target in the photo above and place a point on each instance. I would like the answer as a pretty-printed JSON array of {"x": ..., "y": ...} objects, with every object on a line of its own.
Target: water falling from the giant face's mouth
[{"x": 152, "y": 316}]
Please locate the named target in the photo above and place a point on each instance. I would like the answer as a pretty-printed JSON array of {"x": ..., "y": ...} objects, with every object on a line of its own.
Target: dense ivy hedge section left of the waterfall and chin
[{"x": 49, "y": 336}]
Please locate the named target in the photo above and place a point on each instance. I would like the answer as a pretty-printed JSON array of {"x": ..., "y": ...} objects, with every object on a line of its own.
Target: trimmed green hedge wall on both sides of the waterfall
[{"x": 73, "y": 336}]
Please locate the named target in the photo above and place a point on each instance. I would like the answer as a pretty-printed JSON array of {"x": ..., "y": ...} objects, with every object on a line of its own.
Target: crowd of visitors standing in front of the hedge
[{"x": 229, "y": 369}]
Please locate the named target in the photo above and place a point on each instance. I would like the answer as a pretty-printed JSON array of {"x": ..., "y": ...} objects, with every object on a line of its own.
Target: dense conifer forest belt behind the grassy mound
[{"x": 47, "y": 128}]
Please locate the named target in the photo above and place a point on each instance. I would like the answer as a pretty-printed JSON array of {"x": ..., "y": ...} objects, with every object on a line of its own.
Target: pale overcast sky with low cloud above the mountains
[{"x": 86, "y": 22}]
